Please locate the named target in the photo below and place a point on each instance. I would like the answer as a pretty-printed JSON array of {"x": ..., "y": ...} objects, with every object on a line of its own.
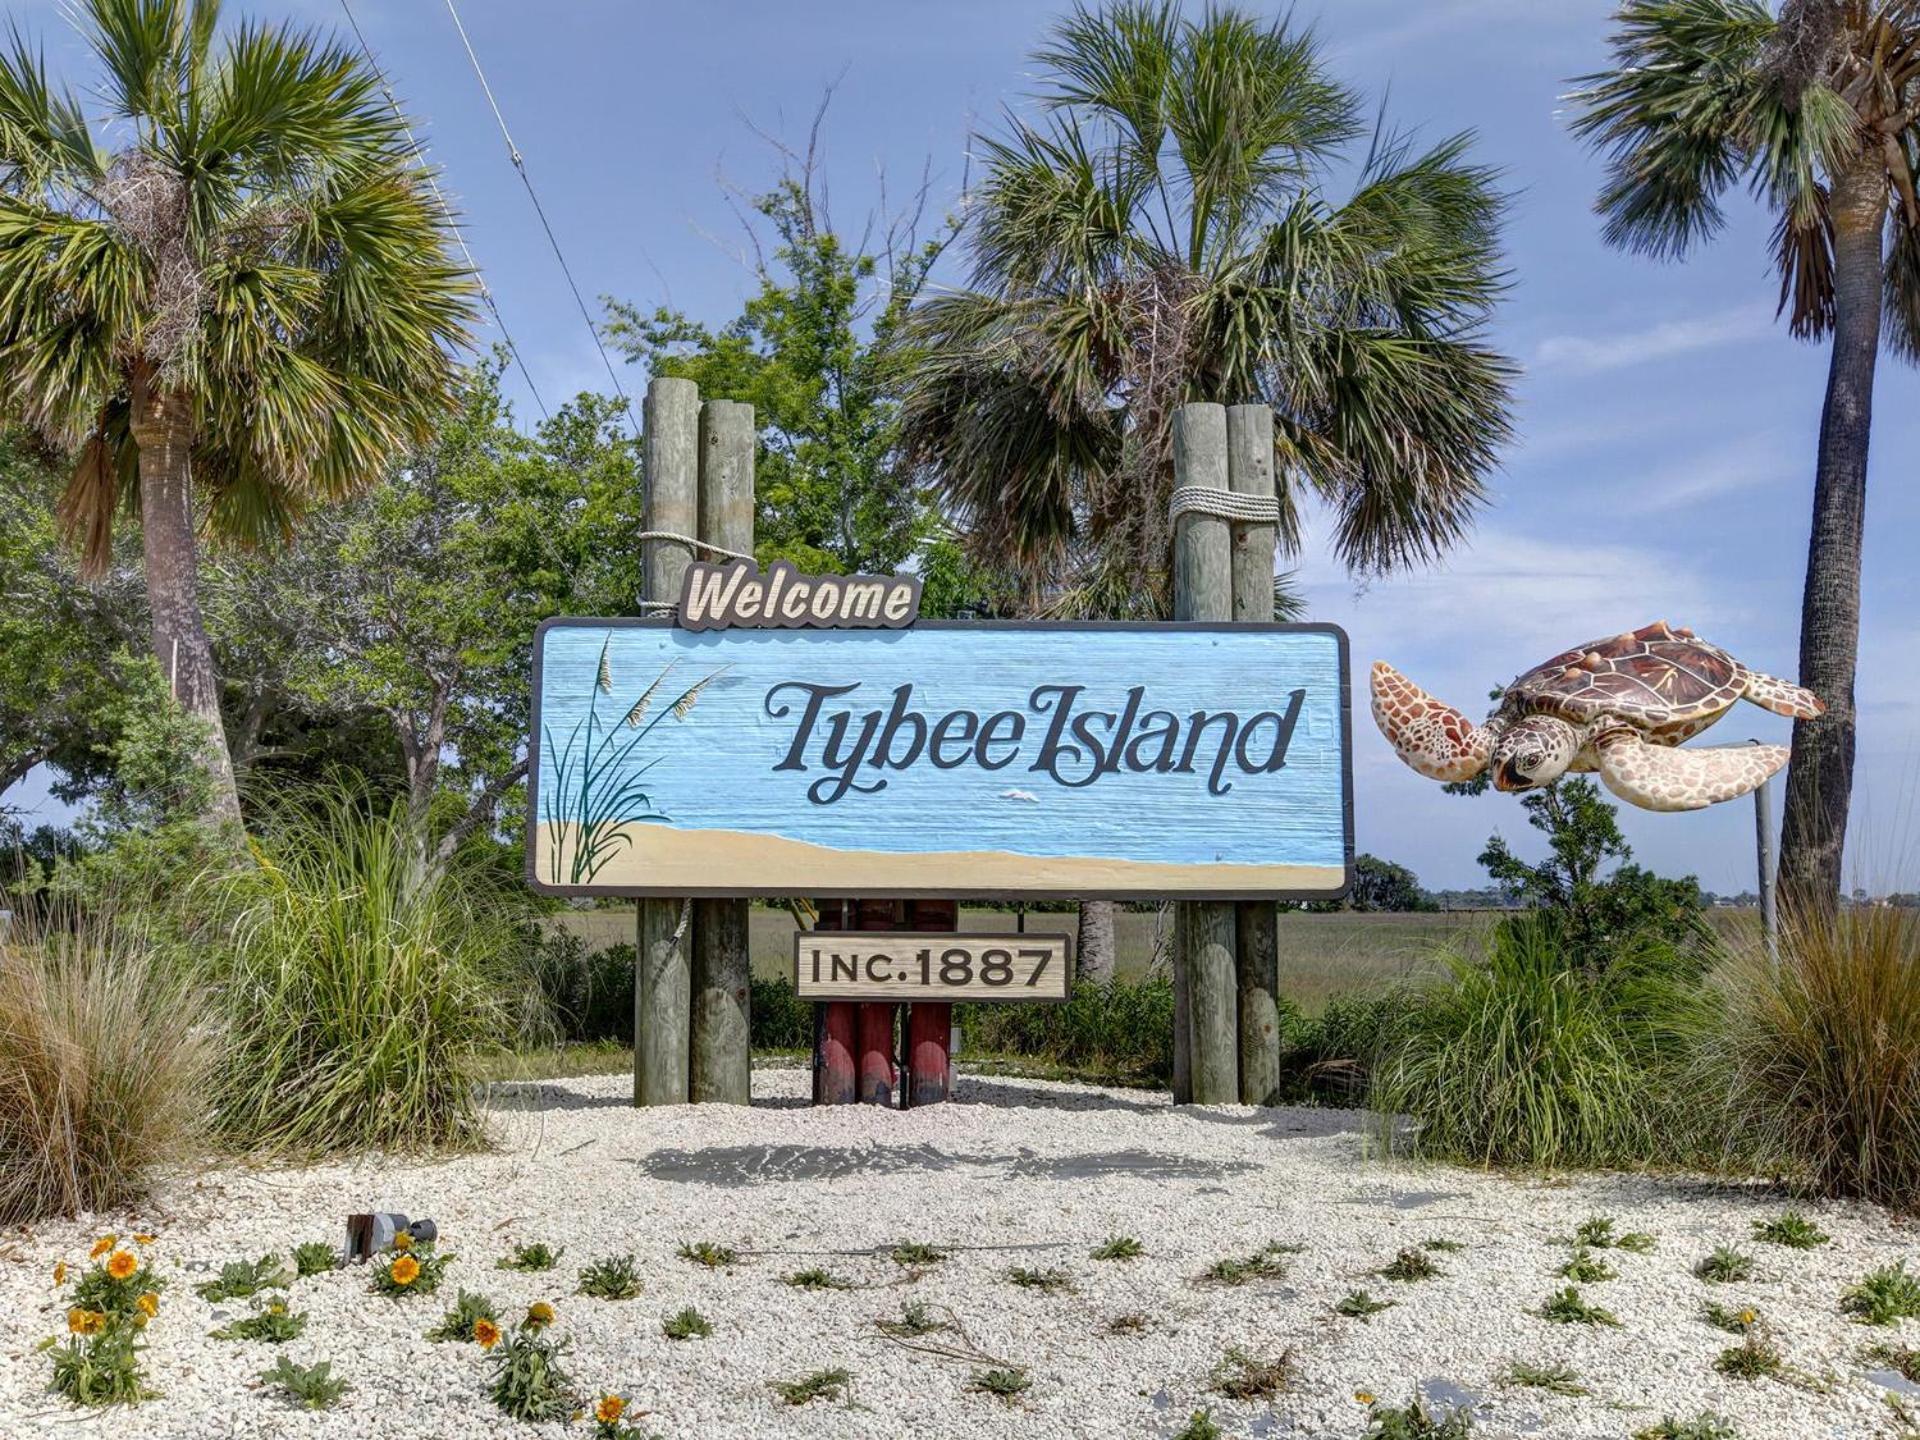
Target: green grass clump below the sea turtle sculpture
[{"x": 1524, "y": 1059}]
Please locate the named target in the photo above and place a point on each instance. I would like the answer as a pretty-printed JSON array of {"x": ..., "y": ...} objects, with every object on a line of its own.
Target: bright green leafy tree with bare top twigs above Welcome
[{"x": 815, "y": 356}]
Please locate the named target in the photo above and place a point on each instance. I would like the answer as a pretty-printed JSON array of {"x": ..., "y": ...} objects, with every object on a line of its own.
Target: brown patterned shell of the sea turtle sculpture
[{"x": 1654, "y": 677}]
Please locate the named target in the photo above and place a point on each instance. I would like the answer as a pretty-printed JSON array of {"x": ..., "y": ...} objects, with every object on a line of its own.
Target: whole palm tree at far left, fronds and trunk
[{"x": 241, "y": 310}]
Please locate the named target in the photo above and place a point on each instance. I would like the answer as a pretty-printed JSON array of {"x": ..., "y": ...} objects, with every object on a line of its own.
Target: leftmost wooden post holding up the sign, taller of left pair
[{"x": 663, "y": 942}]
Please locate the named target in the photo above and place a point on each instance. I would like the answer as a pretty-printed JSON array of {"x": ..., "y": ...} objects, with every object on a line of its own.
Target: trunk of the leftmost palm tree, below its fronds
[{"x": 162, "y": 429}]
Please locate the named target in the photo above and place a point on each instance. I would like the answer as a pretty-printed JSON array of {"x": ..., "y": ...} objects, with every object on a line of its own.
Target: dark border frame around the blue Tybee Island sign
[{"x": 963, "y": 892}]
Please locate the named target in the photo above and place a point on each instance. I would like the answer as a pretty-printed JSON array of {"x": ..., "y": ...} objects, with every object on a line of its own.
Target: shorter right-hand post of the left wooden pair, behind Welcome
[{"x": 723, "y": 965}]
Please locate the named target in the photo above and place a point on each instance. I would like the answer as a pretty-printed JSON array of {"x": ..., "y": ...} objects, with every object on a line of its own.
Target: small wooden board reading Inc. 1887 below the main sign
[{"x": 894, "y": 967}]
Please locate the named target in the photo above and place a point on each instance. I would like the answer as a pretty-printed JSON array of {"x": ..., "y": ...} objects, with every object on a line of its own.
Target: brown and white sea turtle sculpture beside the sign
[{"x": 1614, "y": 706}]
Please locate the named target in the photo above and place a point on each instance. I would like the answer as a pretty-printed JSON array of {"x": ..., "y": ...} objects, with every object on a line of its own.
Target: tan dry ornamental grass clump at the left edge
[{"x": 103, "y": 1059}]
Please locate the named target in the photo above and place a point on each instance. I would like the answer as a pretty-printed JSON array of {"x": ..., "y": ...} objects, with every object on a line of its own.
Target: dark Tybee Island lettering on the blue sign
[{"x": 1059, "y": 734}]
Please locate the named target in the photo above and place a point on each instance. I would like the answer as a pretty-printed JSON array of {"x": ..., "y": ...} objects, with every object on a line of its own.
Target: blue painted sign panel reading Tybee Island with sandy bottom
[{"x": 953, "y": 759}]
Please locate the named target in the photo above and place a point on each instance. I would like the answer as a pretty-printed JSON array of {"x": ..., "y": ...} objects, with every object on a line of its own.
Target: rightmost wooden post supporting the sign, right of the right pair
[{"x": 1257, "y": 936}]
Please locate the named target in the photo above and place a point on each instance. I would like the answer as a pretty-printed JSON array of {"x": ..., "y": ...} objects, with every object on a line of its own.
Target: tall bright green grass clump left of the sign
[{"x": 362, "y": 982}]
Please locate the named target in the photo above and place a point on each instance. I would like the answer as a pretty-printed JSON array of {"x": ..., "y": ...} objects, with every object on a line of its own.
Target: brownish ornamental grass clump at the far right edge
[{"x": 1825, "y": 1055}]
